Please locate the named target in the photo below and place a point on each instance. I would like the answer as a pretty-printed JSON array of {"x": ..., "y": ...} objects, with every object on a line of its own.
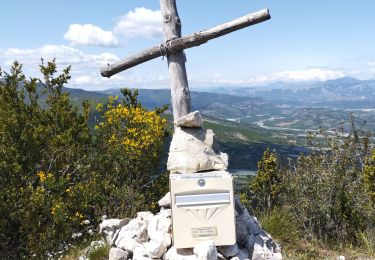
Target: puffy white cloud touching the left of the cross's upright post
[{"x": 141, "y": 22}]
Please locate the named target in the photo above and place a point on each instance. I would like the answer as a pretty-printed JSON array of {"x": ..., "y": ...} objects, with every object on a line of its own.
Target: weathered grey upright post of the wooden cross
[{"x": 181, "y": 103}]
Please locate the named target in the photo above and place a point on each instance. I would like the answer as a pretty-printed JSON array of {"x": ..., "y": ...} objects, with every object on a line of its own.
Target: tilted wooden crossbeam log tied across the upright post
[{"x": 176, "y": 45}]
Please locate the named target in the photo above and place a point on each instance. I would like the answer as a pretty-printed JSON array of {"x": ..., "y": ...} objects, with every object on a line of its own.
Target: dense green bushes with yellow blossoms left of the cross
[{"x": 58, "y": 177}]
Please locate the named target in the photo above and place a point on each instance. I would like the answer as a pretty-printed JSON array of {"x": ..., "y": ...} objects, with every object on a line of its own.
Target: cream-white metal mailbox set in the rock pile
[{"x": 202, "y": 208}]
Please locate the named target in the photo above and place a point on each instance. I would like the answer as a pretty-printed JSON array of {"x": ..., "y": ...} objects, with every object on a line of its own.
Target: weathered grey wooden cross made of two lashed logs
[{"x": 173, "y": 49}]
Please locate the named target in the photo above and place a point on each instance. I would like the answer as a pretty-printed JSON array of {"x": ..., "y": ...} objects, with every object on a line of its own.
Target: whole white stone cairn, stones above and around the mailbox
[{"x": 149, "y": 236}]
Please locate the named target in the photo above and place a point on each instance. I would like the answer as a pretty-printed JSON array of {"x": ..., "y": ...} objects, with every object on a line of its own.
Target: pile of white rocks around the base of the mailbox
[{"x": 149, "y": 236}]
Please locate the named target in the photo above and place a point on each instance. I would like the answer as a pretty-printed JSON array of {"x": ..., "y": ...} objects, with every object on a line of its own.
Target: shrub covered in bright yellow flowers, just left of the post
[{"x": 130, "y": 138}]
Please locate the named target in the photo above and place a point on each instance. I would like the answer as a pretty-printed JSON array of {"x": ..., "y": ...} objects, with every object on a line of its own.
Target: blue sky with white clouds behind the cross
[{"x": 303, "y": 41}]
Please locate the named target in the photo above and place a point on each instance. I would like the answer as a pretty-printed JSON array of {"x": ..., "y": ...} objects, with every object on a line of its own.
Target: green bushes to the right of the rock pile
[{"x": 328, "y": 190}]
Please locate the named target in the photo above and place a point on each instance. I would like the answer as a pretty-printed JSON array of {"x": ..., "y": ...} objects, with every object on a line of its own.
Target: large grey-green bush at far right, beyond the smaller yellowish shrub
[{"x": 326, "y": 189}]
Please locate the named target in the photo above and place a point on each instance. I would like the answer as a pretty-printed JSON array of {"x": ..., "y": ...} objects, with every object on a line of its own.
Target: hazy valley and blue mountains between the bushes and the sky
[{"x": 246, "y": 121}]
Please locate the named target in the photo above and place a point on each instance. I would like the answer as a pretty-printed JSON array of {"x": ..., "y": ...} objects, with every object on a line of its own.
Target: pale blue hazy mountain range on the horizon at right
[{"x": 339, "y": 93}]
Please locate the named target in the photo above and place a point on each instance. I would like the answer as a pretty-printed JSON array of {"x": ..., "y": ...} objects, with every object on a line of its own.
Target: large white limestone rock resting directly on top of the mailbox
[{"x": 192, "y": 150}]
